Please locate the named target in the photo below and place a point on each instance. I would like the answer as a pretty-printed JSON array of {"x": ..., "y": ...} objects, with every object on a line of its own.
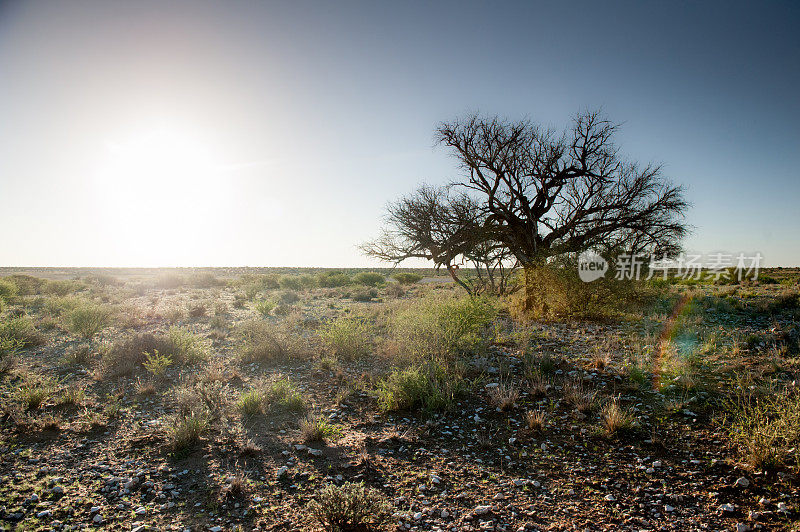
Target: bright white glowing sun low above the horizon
[{"x": 159, "y": 190}]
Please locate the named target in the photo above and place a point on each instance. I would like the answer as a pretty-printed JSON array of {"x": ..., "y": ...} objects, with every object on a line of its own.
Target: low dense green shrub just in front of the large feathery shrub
[{"x": 430, "y": 387}]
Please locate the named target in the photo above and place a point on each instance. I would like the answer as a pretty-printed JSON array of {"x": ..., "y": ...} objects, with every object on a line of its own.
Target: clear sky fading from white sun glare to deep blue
[{"x": 274, "y": 133}]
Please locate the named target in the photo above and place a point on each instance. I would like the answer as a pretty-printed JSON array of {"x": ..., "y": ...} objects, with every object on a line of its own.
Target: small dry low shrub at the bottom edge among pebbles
[{"x": 350, "y": 507}]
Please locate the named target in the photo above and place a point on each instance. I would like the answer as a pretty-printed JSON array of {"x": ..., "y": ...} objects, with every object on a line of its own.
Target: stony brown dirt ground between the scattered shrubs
[{"x": 104, "y": 459}]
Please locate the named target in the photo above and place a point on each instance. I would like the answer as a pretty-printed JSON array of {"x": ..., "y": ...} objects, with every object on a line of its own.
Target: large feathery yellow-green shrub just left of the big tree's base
[{"x": 441, "y": 328}]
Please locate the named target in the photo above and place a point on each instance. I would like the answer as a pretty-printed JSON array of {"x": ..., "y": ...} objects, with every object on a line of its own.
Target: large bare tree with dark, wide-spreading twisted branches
[{"x": 546, "y": 194}]
